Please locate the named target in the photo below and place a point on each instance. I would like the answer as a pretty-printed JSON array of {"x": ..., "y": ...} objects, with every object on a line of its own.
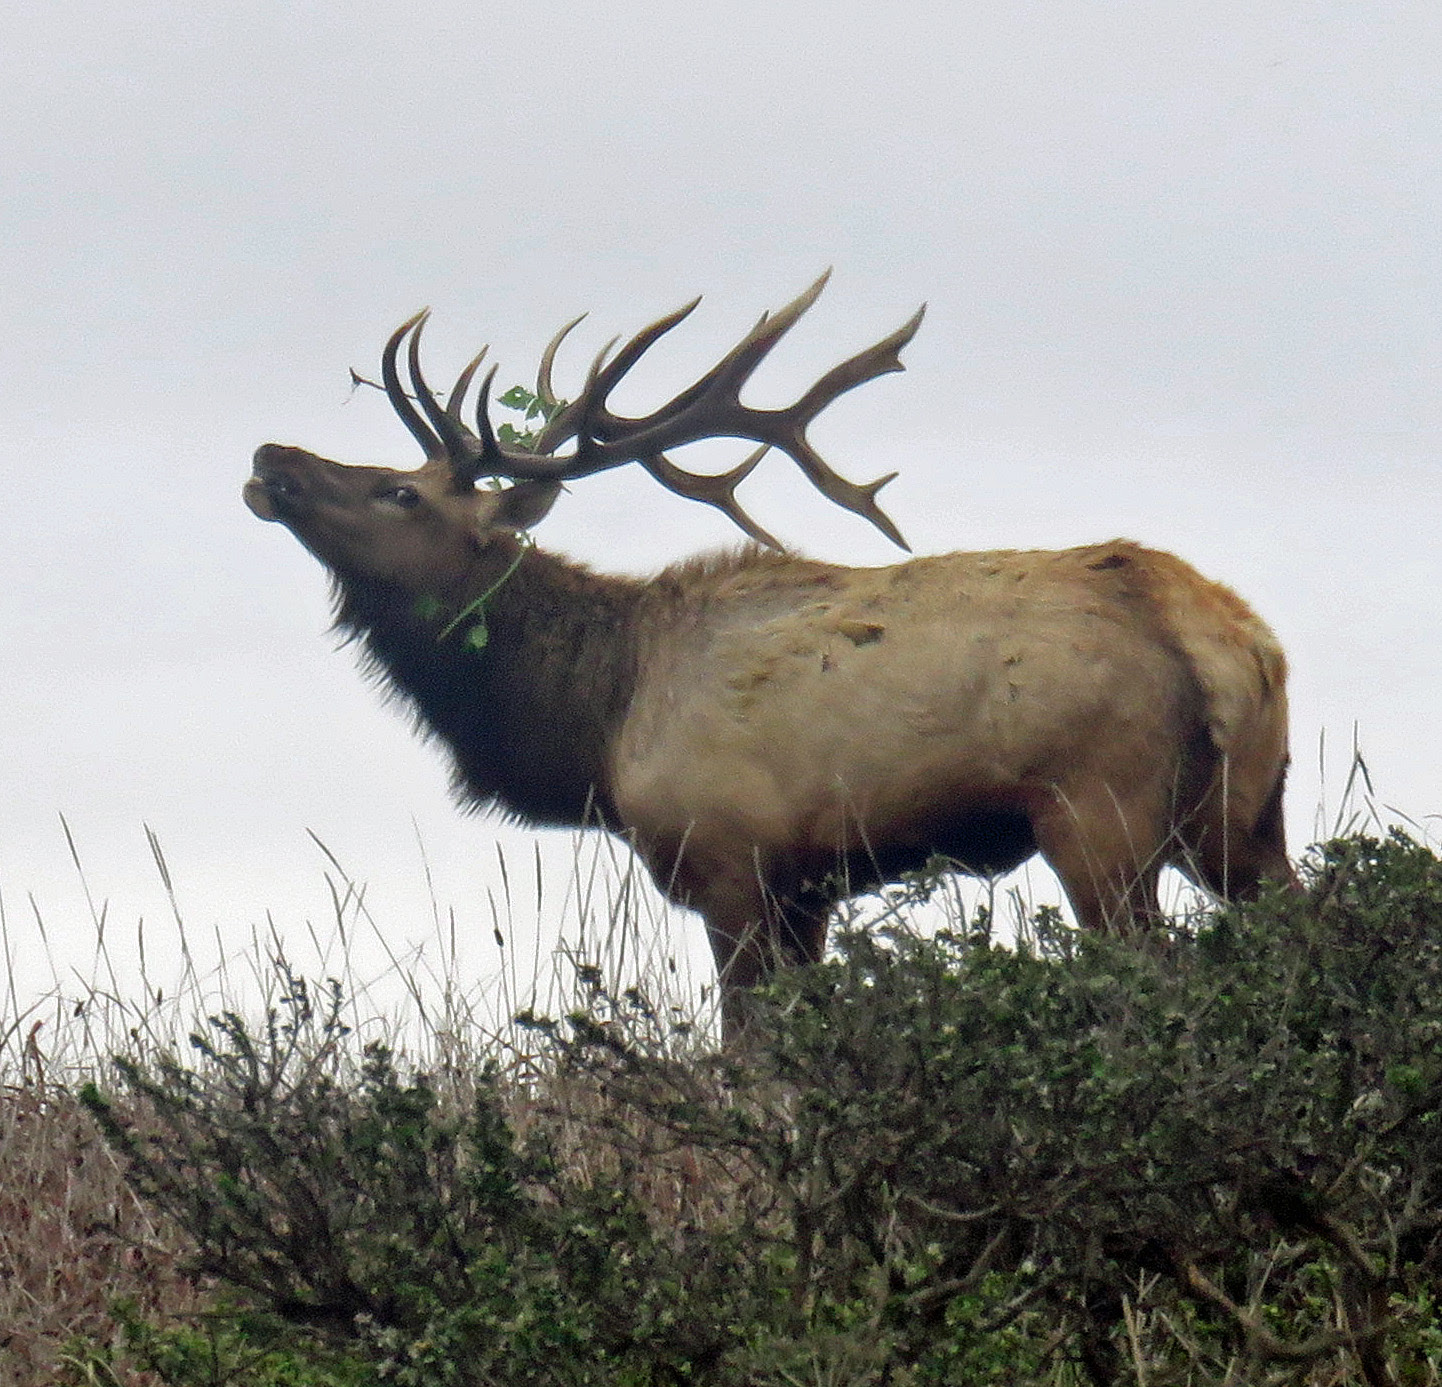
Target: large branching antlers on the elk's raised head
[{"x": 710, "y": 409}]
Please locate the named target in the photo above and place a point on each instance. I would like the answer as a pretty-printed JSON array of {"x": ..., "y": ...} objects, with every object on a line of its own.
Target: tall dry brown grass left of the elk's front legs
[{"x": 74, "y": 1241}]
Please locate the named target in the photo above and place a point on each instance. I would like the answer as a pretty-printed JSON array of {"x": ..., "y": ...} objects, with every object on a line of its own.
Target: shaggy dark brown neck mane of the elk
[{"x": 531, "y": 717}]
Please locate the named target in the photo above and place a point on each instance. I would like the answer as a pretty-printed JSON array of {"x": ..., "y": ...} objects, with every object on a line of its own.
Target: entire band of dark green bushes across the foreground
[{"x": 1208, "y": 1158}]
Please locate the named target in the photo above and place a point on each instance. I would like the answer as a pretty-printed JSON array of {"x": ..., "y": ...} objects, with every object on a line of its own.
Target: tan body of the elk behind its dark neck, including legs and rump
[{"x": 1131, "y": 710}]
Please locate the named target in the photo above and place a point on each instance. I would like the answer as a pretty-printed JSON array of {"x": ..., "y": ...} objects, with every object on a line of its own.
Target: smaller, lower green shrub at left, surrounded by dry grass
[{"x": 381, "y": 1223}]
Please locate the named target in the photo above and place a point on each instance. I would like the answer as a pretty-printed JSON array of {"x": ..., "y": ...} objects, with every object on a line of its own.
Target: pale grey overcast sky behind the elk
[{"x": 1185, "y": 283}]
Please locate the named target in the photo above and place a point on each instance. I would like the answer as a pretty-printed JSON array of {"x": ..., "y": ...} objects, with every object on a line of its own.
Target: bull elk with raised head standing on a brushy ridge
[{"x": 774, "y": 733}]
